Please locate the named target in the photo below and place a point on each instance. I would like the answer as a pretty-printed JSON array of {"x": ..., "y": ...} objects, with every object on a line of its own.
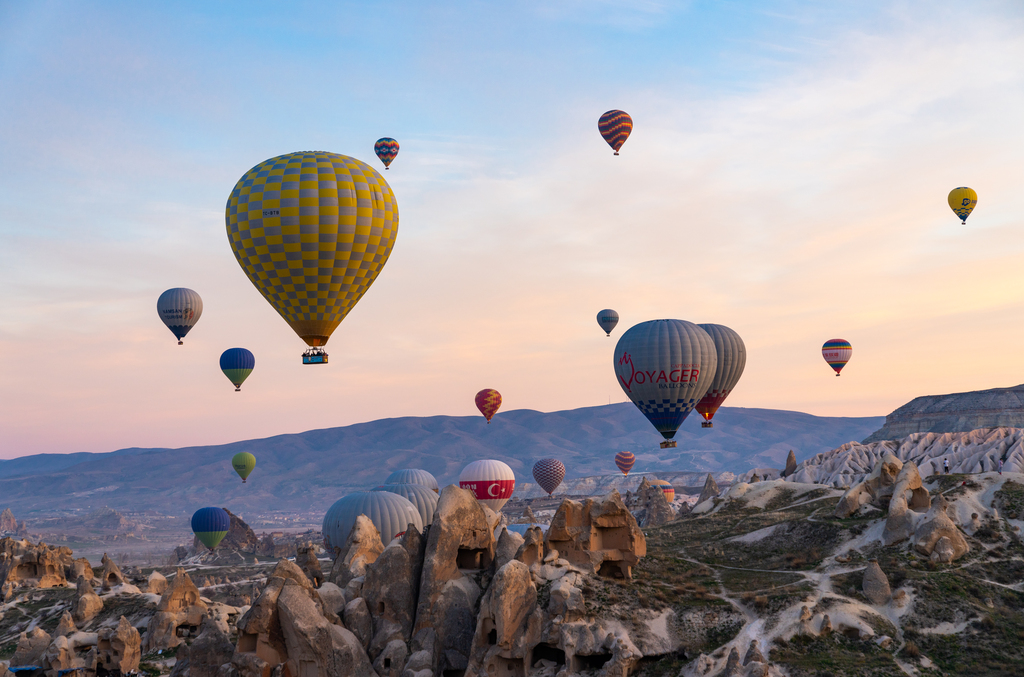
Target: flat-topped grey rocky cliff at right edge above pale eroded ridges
[{"x": 959, "y": 412}]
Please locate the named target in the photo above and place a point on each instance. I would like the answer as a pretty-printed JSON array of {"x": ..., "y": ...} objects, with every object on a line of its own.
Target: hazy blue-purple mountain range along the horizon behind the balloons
[{"x": 310, "y": 471}]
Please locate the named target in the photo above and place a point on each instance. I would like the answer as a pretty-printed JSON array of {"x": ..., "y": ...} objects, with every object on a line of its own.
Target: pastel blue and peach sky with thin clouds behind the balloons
[{"x": 787, "y": 177}]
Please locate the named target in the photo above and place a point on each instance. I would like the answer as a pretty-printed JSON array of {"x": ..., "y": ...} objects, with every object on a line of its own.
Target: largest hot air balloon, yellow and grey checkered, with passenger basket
[{"x": 313, "y": 231}]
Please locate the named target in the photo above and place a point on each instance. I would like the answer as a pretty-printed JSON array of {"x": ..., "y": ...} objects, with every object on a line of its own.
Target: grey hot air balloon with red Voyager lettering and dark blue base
[{"x": 666, "y": 367}]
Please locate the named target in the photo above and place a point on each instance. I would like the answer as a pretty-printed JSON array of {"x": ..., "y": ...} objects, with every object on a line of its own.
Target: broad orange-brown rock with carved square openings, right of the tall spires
[{"x": 602, "y": 537}]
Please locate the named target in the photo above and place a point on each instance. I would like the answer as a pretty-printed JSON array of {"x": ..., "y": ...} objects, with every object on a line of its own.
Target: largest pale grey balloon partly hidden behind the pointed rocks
[{"x": 391, "y": 514}]
